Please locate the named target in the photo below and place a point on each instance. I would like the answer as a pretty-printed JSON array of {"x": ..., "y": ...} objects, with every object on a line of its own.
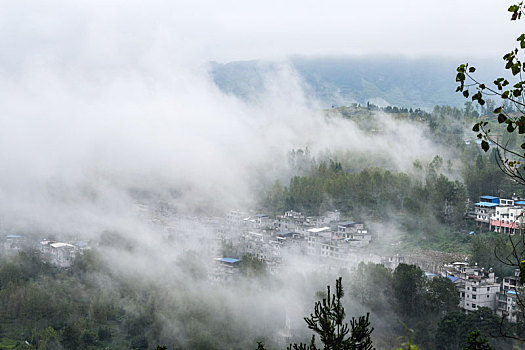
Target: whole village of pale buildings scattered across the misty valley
[{"x": 327, "y": 240}]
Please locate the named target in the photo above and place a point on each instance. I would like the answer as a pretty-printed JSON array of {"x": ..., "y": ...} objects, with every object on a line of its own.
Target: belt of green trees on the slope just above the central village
[{"x": 374, "y": 192}]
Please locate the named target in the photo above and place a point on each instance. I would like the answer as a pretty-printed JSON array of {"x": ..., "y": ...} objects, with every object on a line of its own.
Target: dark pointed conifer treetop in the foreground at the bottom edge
[{"x": 327, "y": 321}]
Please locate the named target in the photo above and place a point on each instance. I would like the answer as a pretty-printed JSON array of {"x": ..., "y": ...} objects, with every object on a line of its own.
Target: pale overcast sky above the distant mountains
[{"x": 65, "y": 31}]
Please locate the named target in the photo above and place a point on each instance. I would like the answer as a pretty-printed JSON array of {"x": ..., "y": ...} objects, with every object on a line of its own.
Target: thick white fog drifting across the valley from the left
[{"x": 100, "y": 113}]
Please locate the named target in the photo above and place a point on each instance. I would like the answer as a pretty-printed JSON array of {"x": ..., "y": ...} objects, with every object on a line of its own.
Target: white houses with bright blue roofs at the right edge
[{"x": 501, "y": 215}]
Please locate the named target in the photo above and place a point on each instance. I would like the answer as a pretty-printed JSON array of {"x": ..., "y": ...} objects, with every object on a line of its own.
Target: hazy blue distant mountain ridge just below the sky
[{"x": 341, "y": 81}]
